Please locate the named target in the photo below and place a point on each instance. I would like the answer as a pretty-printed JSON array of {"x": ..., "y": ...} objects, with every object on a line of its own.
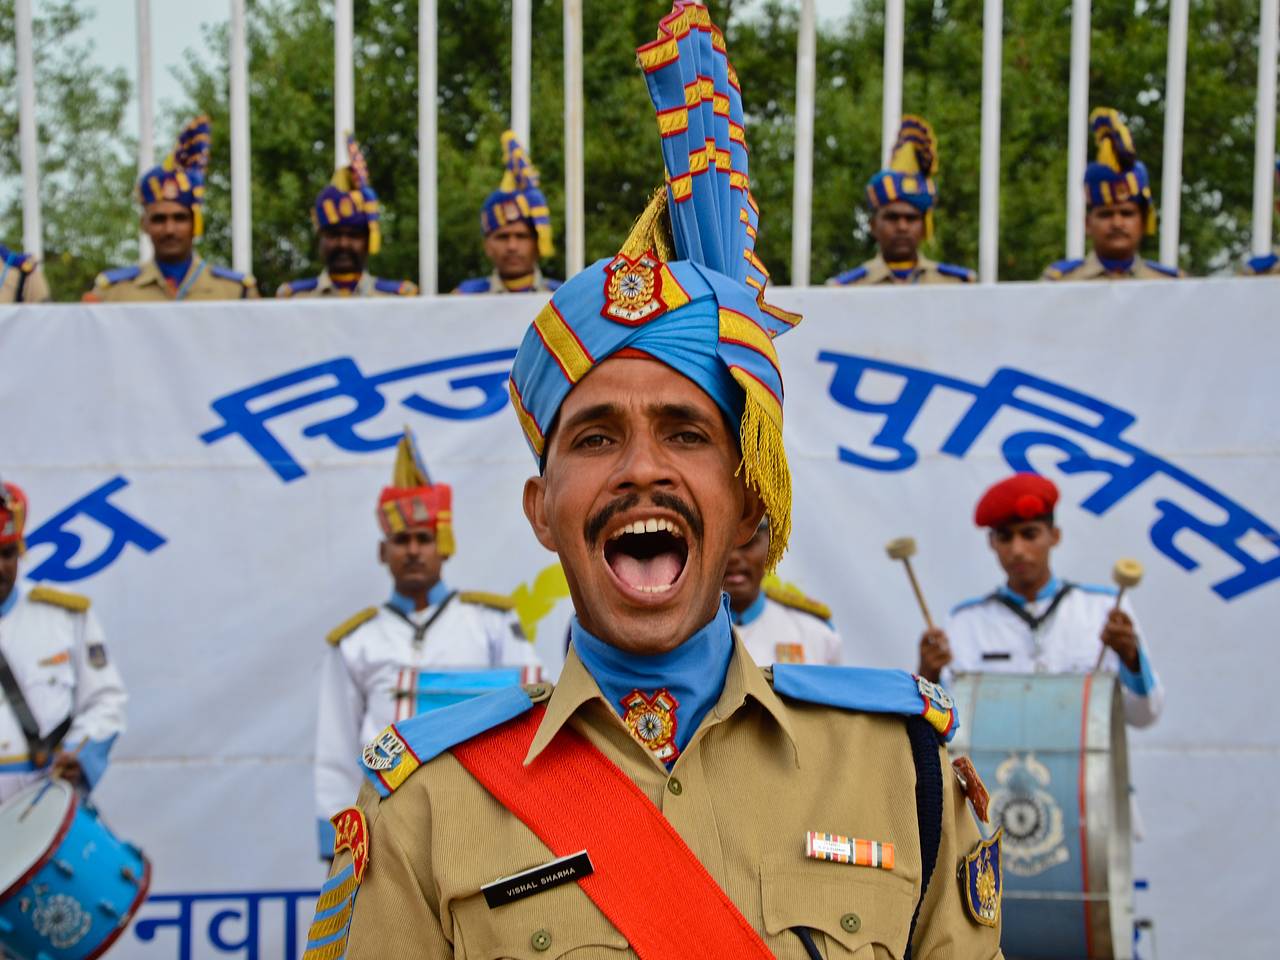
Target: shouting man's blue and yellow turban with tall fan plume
[{"x": 687, "y": 289}]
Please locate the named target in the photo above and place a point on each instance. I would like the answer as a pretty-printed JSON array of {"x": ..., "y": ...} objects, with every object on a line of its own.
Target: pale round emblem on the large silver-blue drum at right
[{"x": 1030, "y": 817}]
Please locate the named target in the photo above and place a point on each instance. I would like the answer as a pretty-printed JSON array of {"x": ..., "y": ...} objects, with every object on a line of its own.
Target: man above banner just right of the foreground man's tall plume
[{"x": 902, "y": 199}]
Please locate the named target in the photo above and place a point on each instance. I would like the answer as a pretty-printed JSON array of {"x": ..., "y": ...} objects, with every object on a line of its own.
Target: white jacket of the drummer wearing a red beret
[{"x": 989, "y": 637}]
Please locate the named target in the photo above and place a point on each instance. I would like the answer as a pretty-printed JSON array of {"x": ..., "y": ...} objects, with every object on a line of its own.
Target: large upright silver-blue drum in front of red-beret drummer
[{"x": 1053, "y": 752}]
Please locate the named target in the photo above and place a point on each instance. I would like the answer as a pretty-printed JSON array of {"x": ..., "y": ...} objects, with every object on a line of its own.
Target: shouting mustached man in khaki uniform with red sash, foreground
[{"x": 669, "y": 798}]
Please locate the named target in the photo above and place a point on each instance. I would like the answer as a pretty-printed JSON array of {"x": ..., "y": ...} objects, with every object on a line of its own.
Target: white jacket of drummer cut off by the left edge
[{"x": 58, "y": 655}]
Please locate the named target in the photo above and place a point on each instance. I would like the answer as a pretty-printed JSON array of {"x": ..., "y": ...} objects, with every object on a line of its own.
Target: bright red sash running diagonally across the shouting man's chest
[{"x": 574, "y": 798}]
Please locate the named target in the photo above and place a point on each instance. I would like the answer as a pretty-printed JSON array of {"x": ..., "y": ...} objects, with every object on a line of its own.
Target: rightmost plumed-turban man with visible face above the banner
[{"x": 1119, "y": 209}]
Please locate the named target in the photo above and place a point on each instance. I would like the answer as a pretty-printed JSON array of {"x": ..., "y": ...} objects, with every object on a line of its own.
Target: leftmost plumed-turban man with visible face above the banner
[{"x": 173, "y": 200}]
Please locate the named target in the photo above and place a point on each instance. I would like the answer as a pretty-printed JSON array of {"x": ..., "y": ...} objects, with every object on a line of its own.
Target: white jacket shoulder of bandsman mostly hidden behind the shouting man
[{"x": 788, "y": 628}]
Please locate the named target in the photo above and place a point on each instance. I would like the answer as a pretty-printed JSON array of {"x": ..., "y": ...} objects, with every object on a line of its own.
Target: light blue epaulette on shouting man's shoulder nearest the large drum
[{"x": 868, "y": 691}]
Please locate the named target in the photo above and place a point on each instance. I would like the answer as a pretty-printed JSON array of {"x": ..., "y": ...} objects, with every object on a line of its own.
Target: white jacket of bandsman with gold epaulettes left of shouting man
[{"x": 392, "y": 662}]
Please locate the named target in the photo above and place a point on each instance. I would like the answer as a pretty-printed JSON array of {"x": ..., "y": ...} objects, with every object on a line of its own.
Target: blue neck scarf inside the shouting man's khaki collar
[{"x": 693, "y": 675}]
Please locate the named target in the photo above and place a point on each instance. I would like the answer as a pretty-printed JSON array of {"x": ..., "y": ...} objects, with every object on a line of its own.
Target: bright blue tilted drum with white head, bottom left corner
[{"x": 70, "y": 888}]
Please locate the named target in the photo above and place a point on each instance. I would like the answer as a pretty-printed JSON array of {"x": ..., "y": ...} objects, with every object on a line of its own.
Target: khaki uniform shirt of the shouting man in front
[{"x": 758, "y": 774}]
